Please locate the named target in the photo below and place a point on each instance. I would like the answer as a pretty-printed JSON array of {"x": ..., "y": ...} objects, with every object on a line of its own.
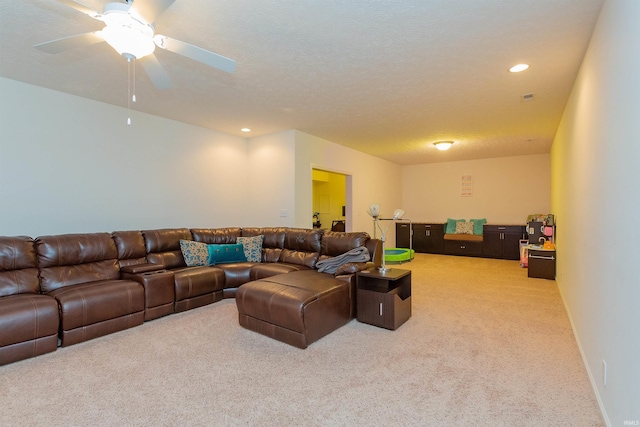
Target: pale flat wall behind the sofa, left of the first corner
[{"x": 69, "y": 164}]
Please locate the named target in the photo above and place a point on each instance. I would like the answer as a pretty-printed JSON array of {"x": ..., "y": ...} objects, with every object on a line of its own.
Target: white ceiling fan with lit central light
[{"x": 130, "y": 30}]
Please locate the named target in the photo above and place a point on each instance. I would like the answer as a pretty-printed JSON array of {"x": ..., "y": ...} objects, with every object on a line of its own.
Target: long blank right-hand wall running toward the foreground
[{"x": 596, "y": 196}]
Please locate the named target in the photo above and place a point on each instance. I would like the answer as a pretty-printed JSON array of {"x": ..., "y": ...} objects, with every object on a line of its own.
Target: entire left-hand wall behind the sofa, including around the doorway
[{"x": 72, "y": 165}]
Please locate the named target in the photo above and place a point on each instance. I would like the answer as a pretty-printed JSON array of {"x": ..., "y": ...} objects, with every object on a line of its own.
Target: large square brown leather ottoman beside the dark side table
[{"x": 297, "y": 308}]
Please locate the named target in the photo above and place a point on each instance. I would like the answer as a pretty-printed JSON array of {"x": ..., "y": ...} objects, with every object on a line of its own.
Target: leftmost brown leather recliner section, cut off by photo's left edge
[{"x": 28, "y": 320}]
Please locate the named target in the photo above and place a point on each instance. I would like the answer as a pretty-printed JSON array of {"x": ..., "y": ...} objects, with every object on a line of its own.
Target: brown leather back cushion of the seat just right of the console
[{"x": 163, "y": 246}]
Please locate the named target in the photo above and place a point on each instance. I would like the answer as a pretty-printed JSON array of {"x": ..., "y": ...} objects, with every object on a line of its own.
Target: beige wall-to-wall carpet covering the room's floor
[{"x": 486, "y": 346}]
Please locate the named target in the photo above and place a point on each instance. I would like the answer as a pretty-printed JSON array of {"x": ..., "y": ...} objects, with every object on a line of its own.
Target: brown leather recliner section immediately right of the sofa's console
[{"x": 194, "y": 286}]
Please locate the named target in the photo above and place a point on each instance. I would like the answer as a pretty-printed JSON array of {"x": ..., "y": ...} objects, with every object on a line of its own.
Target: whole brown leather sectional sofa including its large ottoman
[{"x": 65, "y": 289}]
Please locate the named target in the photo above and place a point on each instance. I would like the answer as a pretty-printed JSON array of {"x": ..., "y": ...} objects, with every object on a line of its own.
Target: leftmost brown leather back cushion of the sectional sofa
[{"x": 18, "y": 272}]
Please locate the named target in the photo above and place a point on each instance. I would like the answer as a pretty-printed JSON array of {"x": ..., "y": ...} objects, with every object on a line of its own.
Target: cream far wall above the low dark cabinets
[{"x": 505, "y": 190}]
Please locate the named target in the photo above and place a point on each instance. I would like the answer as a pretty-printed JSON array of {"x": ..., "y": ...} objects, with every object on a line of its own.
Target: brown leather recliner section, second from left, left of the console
[{"x": 82, "y": 273}]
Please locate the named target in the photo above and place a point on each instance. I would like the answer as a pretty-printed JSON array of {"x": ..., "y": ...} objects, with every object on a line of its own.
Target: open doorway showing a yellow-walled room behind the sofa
[{"x": 329, "y": 200}]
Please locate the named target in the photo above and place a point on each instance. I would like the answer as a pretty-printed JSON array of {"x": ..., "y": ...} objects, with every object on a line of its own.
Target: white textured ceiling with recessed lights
[{"x": 384, "y": 77}]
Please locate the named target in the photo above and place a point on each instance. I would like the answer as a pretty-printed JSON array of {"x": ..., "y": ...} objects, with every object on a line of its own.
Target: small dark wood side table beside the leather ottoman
[{"x": 384, "y": 299}]
